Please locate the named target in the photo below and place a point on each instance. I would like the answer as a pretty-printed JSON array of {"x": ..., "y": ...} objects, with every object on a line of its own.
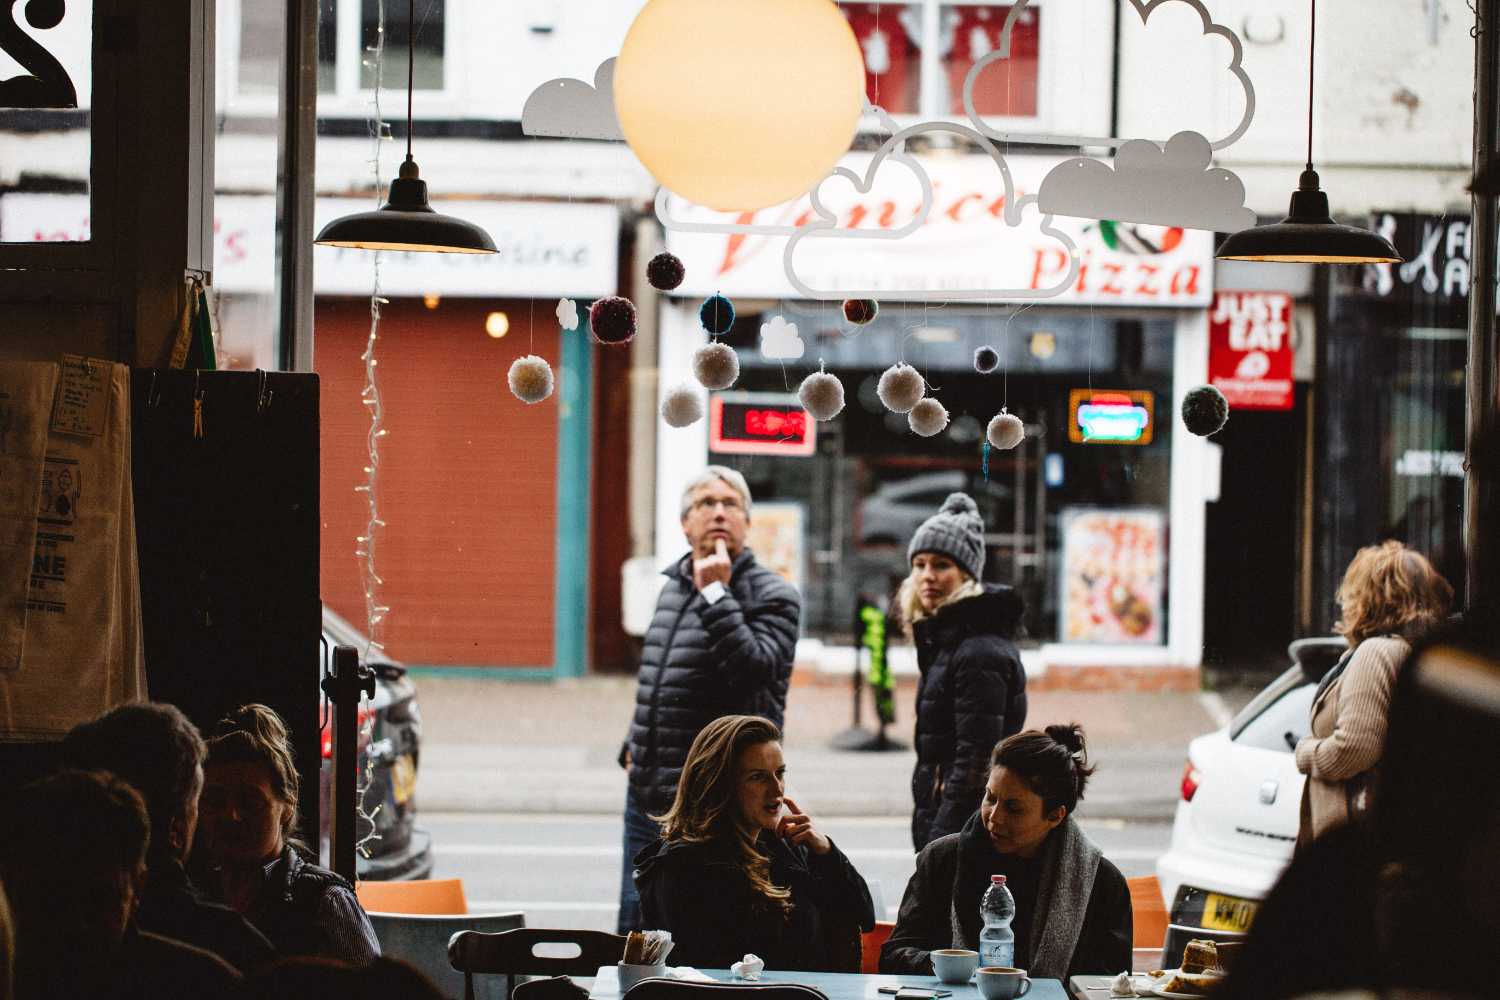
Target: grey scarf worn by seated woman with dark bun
[{"x": 1069, "y": 864}]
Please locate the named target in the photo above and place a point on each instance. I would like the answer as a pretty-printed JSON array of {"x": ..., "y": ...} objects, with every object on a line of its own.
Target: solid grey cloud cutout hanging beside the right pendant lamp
[{"x": 1171, "y": 187}]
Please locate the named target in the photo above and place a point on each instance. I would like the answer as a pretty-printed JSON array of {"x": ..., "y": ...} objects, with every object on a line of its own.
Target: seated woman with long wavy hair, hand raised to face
[{"x": 742, "y": 869}]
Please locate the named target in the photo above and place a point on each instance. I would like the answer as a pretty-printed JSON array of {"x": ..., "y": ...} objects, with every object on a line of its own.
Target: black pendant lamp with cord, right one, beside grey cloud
[{"x": 1309, "y": 235}]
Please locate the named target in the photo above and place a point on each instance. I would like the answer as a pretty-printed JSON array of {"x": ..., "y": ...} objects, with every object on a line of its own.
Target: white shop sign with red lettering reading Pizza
[{"x": 965, "y": 244}]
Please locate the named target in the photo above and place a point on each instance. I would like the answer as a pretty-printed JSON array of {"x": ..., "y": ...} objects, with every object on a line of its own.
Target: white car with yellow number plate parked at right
[{"x": 1238, "y": 818}]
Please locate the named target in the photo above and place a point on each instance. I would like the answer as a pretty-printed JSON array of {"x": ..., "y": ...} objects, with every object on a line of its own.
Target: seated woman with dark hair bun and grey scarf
[{"x": 1073, "y": 914}]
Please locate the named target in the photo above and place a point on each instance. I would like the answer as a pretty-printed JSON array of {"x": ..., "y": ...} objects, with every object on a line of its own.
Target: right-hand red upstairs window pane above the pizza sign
[{"x": 1006, "y": 89}]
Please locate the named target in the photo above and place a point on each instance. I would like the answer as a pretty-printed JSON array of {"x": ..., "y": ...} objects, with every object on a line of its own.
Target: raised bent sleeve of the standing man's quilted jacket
[{"x": 752, "y": 648}]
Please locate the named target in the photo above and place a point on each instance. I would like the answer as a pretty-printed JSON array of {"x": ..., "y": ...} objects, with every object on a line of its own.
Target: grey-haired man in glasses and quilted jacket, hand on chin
[{"x": 721, "y": 644}]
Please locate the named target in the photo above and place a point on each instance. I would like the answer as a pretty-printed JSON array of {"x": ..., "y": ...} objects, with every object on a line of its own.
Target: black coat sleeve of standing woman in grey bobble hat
[{"x": 982, "y": 668}]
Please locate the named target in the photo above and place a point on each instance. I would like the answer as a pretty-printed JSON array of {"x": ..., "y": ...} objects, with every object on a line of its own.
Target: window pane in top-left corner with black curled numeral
[{"x": 46, "y": 161}]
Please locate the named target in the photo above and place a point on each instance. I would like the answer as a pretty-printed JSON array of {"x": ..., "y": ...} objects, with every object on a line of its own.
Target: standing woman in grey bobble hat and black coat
[{"x": 973, "y": 689}]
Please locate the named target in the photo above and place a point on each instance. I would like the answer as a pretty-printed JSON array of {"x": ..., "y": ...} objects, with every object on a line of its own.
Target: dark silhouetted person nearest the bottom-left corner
[{"x": 74, "y": 864}]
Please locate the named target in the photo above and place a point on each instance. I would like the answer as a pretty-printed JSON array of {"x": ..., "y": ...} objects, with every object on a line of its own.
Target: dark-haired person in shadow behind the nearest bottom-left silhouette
[{"x": 160, "y": 753}]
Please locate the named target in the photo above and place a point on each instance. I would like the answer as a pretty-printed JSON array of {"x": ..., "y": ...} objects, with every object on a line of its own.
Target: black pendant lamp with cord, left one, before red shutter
[{"x": 407, "y": 223}]
